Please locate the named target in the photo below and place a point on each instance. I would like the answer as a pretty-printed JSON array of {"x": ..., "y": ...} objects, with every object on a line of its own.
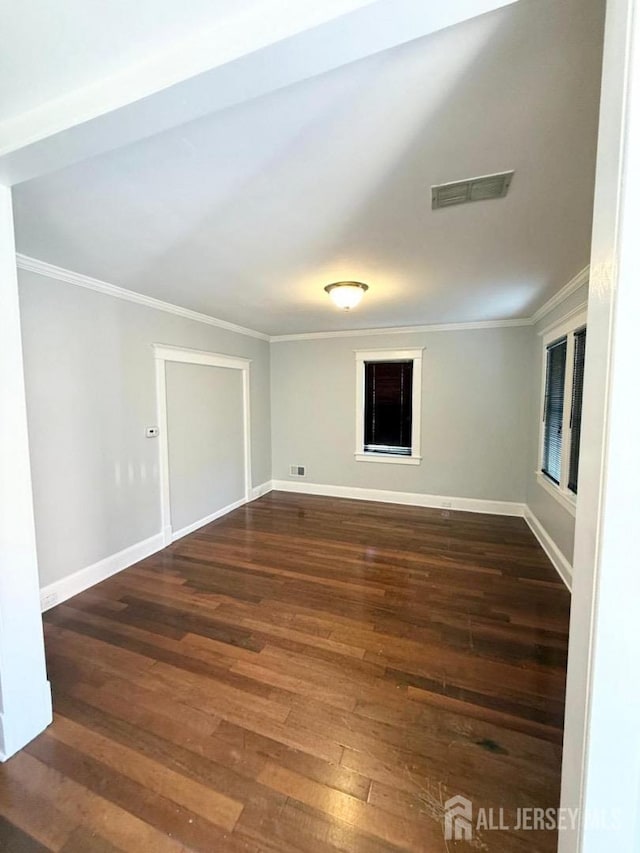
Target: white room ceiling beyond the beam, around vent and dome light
[{"x": 246, "y": 214}]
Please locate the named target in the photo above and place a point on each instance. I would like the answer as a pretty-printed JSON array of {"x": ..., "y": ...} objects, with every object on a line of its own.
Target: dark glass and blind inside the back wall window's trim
[{"x": 388, "y": 406}]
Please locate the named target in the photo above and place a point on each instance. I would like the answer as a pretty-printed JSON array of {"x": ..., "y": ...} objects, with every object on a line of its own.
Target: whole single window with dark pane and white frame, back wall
[{"x": 388, "y": 406}]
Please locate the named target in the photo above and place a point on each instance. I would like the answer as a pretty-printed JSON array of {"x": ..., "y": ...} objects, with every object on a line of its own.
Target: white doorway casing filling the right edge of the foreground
[{"x": 601, "y": 752}]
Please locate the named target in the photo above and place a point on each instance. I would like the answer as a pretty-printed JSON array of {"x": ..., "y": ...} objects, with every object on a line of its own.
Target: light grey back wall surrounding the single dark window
[{"x": 475, "y": 419}]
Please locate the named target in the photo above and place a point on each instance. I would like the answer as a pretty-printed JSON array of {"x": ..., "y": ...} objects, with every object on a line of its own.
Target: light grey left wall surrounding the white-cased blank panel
[{"x": 90, "y": 385}]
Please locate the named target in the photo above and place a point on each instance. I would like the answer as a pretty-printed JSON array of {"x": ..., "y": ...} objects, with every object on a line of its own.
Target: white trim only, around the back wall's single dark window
[{"x": 414, "y": 355}]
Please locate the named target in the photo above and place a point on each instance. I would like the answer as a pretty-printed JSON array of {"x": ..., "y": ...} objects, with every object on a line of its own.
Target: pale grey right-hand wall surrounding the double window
[{"x": 556, "y": 520}]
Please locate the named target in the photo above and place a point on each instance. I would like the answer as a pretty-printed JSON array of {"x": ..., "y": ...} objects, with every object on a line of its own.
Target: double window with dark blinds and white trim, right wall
[{"x": 564, "y": 354}]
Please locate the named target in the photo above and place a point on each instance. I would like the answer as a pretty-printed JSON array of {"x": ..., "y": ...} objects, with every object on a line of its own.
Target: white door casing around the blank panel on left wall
[{"x": 164, "y": 353}]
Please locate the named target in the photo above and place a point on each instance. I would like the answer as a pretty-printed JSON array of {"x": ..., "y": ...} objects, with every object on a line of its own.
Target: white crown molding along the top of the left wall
[{"x": 28, "y": 264}]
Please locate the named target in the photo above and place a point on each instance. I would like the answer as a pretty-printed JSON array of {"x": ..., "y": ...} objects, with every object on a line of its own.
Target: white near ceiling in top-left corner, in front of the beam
[{"x": 51, "y": 49}]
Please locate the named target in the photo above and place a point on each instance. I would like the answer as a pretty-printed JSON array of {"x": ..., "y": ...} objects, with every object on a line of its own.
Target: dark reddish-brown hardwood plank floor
[{"x": 305, "y": 674}]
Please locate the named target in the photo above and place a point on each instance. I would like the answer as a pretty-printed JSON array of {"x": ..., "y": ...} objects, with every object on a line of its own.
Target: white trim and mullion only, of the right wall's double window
[{"x": 566, "y": 328}]
